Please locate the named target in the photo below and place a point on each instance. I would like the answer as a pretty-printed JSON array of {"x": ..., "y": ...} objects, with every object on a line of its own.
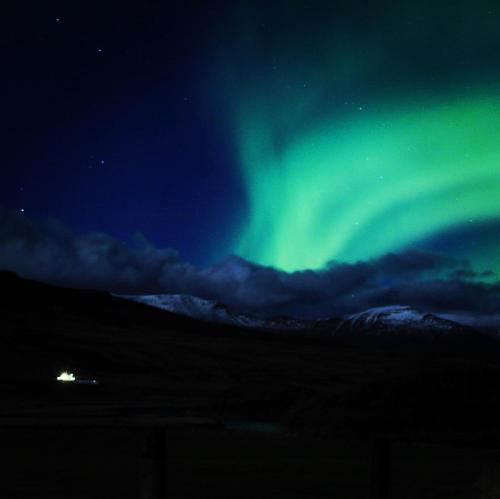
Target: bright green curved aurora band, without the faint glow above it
[{"x": 353, "y": 186}]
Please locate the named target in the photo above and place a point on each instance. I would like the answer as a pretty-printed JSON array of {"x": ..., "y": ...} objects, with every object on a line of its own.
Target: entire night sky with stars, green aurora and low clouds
[{"x": 294, "y": 139}]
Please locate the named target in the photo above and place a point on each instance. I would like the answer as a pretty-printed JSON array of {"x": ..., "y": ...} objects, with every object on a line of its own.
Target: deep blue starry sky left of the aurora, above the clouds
[{"x": 107, "y": 125}]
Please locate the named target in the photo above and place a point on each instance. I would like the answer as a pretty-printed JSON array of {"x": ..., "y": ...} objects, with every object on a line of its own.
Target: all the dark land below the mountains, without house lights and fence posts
[{"x": 441, "y": 408}]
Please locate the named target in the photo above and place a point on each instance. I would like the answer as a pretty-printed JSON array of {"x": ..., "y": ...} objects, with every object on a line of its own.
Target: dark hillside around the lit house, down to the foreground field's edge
[{"x": 153, "y": 362}]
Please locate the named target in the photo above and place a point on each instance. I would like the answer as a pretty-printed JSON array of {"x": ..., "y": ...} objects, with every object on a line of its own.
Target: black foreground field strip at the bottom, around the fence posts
[{"x": 117, "y": 464}]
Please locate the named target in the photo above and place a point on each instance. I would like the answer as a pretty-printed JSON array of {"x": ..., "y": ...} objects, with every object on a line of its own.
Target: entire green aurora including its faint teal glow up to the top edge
[{"x": 356, "y": 138}]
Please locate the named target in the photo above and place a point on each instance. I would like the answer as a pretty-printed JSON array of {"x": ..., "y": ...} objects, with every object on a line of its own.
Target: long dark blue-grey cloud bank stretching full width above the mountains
[{"x": 50, "y": 252}]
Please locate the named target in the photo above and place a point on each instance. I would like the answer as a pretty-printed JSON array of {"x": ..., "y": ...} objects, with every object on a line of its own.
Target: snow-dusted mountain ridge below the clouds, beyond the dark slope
[{"x": 391, "y": 325}]
